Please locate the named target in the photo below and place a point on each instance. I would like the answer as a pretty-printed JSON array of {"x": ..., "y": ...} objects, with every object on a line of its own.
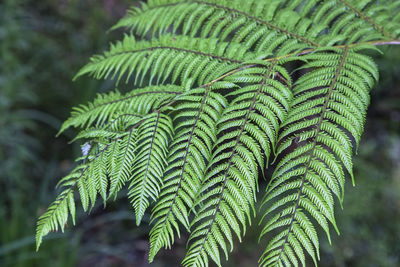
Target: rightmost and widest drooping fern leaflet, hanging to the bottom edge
[{"x": 325, "y": 119}]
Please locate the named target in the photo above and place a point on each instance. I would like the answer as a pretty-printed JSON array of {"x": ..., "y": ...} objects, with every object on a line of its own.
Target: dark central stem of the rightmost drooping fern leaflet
[{"x": 311, "y": 153}]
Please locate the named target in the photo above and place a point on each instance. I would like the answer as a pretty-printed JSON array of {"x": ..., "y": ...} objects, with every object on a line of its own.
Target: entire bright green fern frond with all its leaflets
[{"x": 226, "y": 100}]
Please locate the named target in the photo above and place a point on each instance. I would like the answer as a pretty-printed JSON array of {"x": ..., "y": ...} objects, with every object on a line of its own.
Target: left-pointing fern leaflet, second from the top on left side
[{"x": 174, "y": 57}]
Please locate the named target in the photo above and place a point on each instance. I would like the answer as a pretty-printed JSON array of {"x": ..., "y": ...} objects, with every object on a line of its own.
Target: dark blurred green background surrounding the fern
[{"x": 42, "y": 45}]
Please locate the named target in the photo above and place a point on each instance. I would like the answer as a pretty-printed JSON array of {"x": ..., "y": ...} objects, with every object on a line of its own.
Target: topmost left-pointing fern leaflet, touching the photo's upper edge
[{"x": 269, "y": 27}]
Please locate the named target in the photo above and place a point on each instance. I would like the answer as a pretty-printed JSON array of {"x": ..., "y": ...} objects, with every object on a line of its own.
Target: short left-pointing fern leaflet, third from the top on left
[{"x": 108, "y": 106}]
